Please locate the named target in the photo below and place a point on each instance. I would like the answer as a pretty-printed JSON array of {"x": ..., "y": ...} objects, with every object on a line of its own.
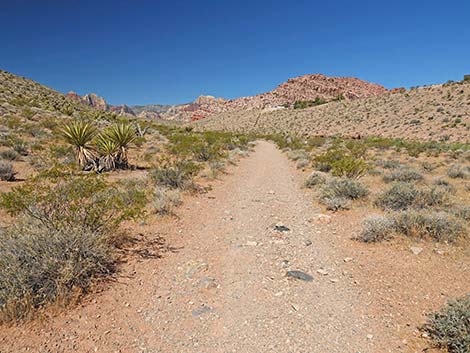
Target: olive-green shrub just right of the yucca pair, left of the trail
[{"x": 177, "y": 174}]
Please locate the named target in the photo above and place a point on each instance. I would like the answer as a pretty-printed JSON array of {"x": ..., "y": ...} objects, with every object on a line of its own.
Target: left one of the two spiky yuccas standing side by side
[{"x": 80, "y": 134}]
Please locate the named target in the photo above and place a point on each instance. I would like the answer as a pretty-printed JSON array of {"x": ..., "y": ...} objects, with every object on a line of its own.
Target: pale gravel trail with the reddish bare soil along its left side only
[{"x": 224, "y": 286}]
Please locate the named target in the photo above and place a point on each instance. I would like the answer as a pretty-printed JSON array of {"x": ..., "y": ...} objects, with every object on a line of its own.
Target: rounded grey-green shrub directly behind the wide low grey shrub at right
[{"x": 399, "y": 197}]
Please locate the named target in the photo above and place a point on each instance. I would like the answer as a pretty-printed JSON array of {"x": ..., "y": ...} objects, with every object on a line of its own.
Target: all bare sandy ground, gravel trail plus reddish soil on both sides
[{"x": 214, "y": 280}]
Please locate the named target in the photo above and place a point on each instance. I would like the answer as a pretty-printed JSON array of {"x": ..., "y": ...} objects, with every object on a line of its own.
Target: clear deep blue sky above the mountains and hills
[{"x": 138, "y": 52}]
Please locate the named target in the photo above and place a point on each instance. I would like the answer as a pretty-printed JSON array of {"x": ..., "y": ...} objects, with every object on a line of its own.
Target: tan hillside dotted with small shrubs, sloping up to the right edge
[{"x": 438, "y": 112}]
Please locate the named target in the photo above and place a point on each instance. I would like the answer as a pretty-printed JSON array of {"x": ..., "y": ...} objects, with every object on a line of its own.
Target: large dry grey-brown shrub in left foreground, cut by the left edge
[{"x": 39, "y": 265}]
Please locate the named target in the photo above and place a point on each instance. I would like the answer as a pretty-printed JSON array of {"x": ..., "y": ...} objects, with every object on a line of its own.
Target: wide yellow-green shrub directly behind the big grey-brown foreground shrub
[{"x": 86, "y": 202}]
